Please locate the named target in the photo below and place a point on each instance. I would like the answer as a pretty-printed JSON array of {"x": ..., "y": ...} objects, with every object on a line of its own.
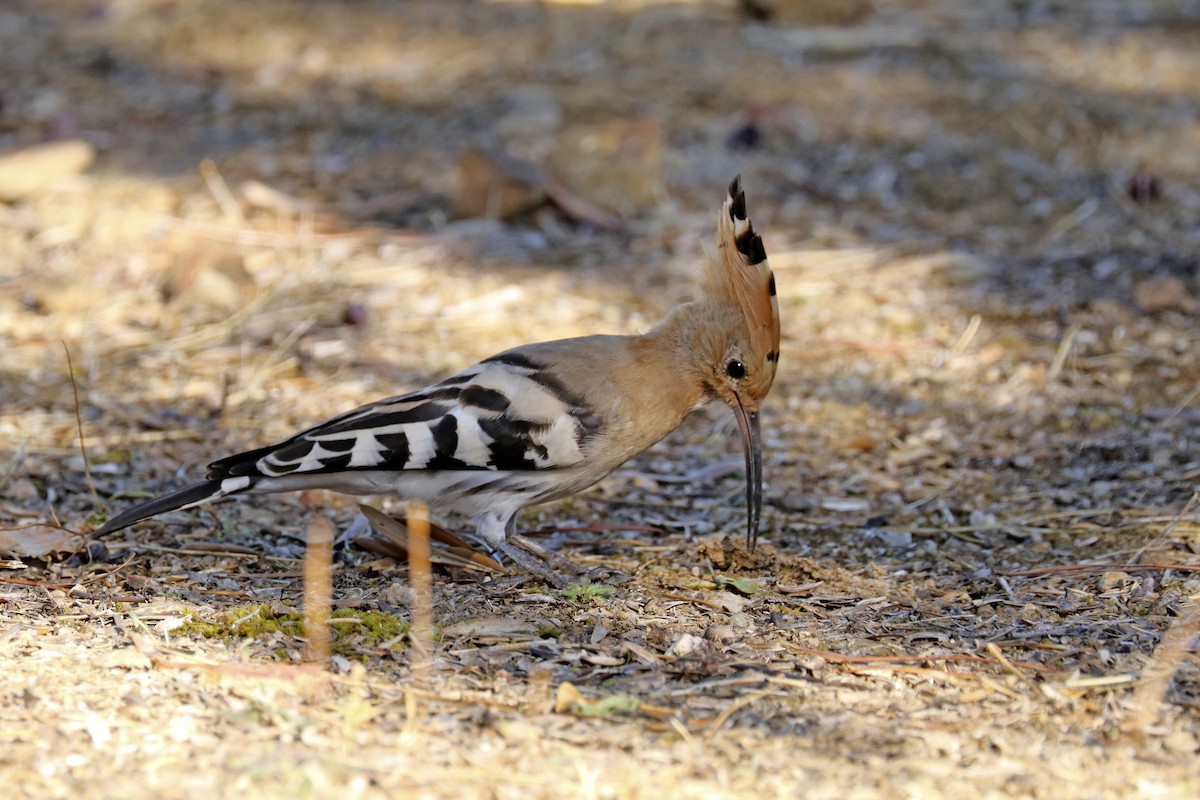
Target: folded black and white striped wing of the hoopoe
[{"x": 503, "y": 414}]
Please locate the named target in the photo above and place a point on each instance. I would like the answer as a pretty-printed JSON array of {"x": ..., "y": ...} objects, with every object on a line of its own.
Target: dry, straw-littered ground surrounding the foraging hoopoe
[{"x": 985, "y": 220}]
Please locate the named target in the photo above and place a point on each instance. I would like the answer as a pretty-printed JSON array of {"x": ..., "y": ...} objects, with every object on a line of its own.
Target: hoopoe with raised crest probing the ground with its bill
[{"x": 541, "y": 422}]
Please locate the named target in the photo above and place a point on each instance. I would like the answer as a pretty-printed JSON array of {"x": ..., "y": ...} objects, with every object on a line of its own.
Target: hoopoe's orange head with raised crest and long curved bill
[{"x": 741, "y": 339}]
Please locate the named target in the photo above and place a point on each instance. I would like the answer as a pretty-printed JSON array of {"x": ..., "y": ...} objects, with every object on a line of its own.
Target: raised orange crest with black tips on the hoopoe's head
[{"x": 740, "y": 275}]
